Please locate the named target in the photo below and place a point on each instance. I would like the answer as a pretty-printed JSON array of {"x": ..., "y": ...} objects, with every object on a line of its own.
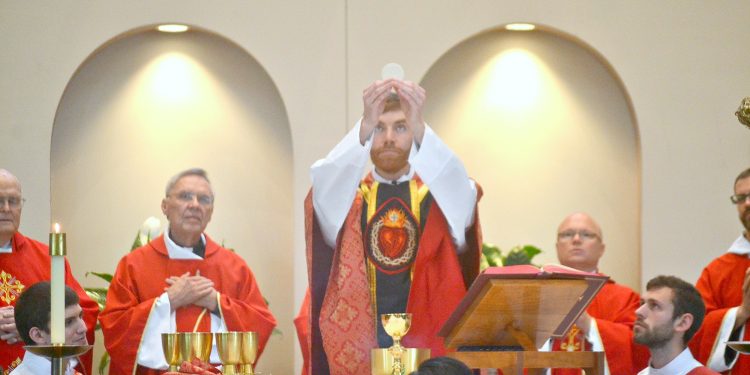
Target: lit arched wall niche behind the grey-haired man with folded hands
[{"x": 147, "y": 105}]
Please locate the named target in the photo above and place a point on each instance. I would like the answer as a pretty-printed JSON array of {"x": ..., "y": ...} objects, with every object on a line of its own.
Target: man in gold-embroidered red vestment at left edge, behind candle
[{"x": 24, "y": 262}]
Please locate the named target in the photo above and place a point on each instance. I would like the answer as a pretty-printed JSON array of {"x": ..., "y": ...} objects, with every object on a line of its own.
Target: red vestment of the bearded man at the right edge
[{"x": 720, "y": 285}]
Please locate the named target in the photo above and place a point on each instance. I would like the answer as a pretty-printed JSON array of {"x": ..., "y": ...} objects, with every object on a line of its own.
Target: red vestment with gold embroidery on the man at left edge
[{"x": 28, "y": 264}]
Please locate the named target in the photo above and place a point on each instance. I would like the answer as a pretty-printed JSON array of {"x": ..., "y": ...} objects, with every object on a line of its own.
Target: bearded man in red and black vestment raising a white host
[{"x": 404, "y": 239}]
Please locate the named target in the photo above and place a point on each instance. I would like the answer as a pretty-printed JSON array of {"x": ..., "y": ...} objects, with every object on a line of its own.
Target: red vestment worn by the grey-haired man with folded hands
[{"x": 140, "y": 280}]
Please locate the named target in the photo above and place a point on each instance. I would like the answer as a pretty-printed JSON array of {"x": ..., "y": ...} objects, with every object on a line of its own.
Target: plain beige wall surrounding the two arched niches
[{"x": 682, "y": 63}]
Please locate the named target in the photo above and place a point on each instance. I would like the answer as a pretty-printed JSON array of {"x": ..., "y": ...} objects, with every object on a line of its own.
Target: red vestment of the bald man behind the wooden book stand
[{"x": 614, "y": 310}]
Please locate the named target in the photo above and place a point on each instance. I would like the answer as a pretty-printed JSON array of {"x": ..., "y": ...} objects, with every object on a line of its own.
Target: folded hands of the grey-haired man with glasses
[{"x": 187, "y": 290}]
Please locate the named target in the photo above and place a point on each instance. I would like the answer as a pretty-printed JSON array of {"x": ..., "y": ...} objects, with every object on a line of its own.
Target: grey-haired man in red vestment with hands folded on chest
[{"x": 181, "y": 281}]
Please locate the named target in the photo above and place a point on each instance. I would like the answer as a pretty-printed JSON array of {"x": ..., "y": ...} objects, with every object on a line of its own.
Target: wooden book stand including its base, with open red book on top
[{"x": 509, "y": 312}]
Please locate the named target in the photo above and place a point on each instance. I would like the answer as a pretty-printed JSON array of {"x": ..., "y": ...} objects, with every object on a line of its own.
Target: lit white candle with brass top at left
[{"x": 57, "y": 286}]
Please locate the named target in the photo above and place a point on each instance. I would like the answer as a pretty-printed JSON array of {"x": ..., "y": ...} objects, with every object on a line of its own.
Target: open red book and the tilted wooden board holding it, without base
[{"x": 520, "y": 306}]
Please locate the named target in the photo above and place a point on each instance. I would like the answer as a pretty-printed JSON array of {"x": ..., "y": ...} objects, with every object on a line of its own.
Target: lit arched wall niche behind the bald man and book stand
[{"x": 546, "y": 126}]
